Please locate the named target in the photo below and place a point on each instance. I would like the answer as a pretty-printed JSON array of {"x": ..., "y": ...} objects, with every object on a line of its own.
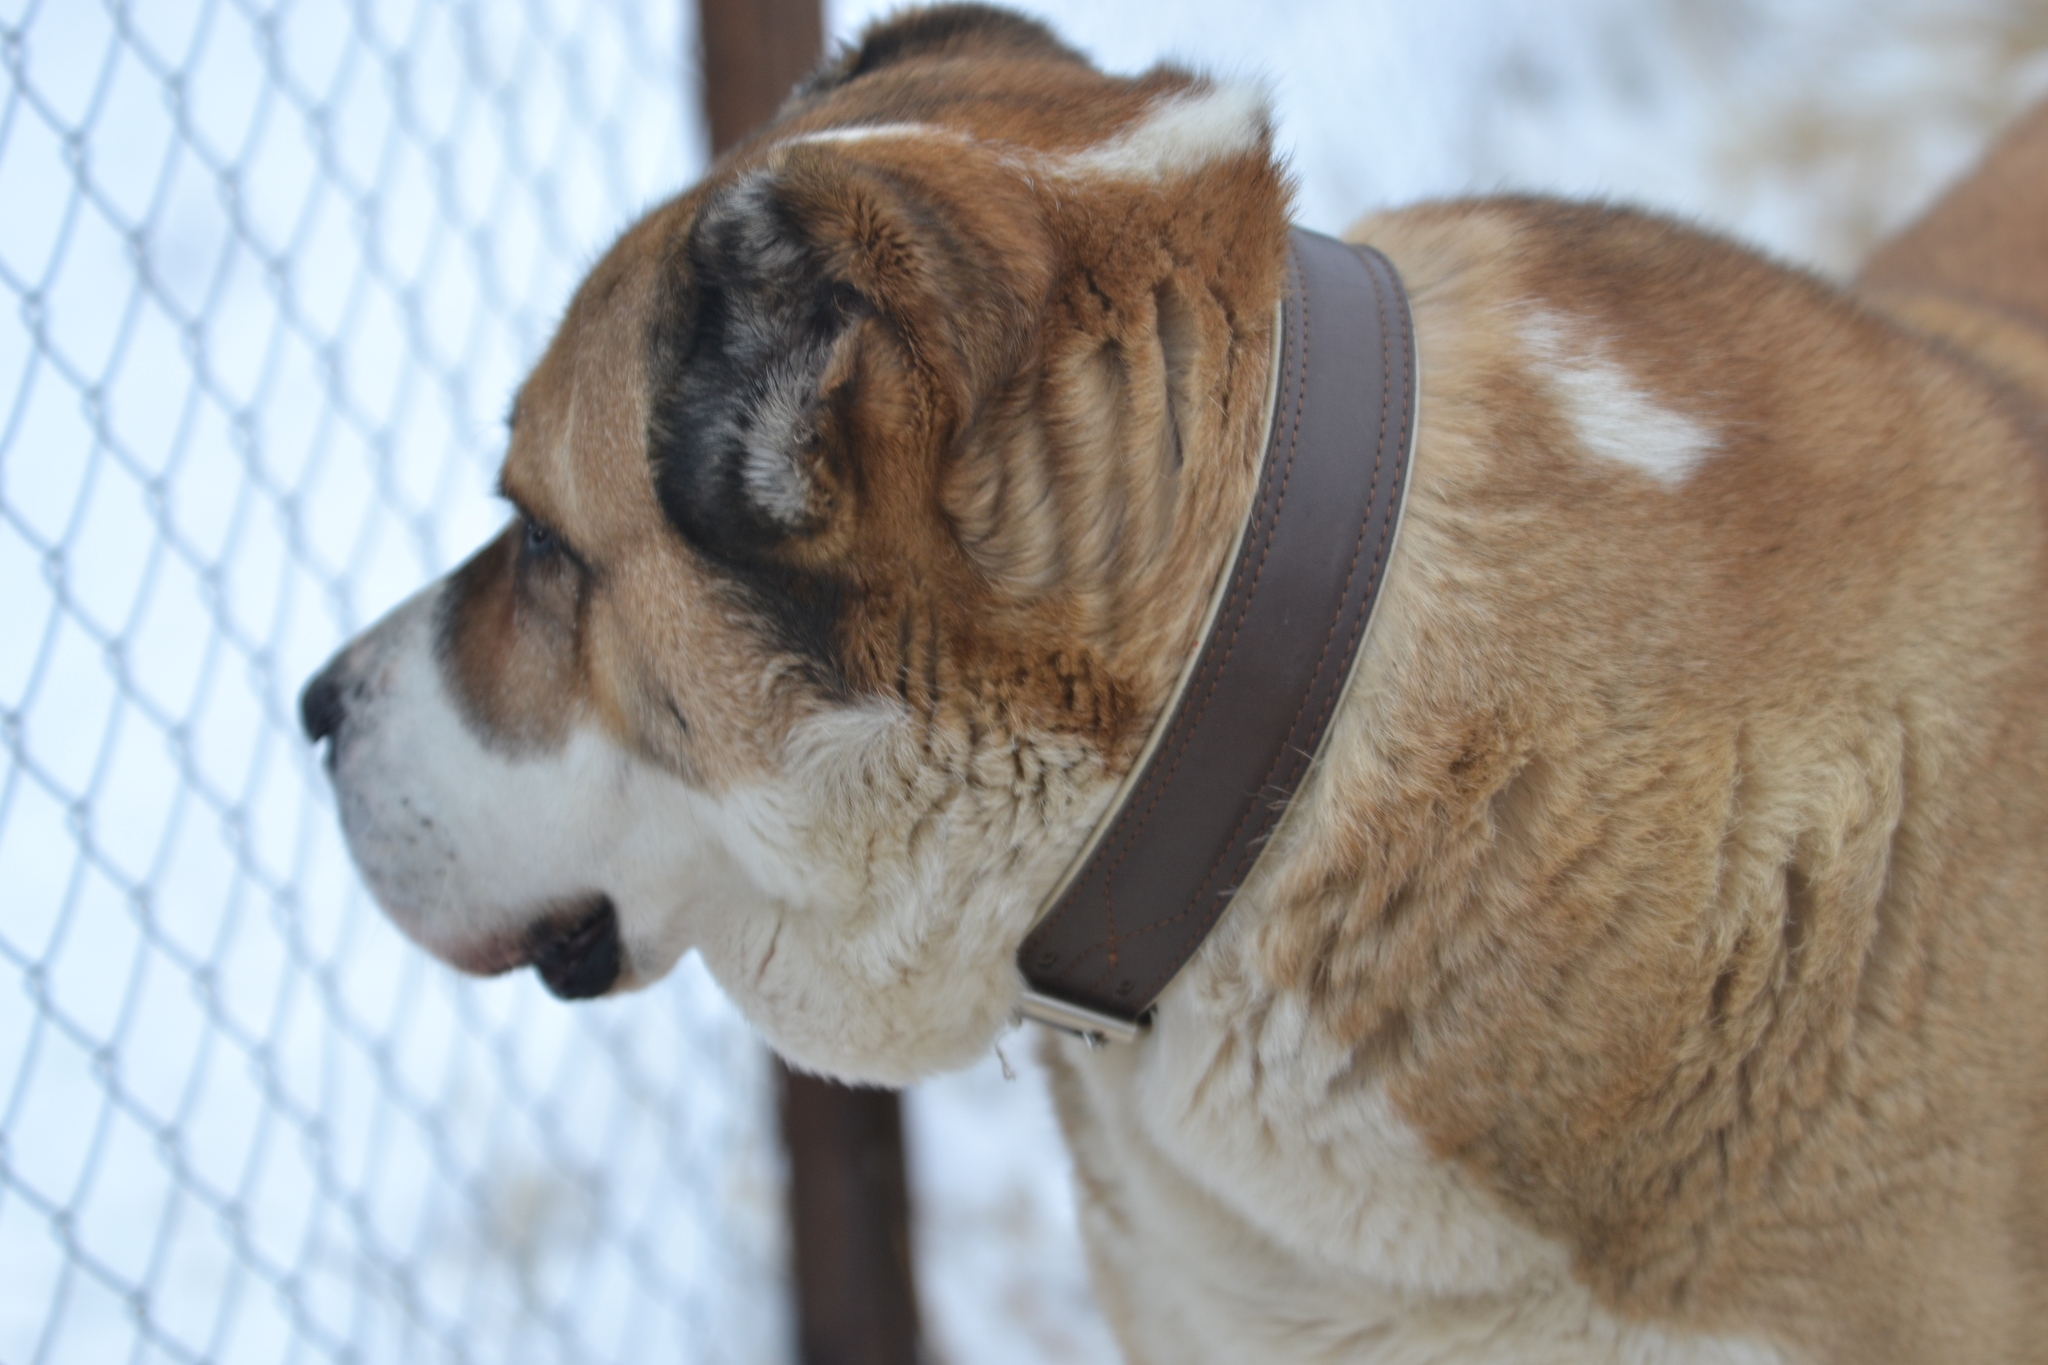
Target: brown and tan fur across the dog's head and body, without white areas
[{"x": 1680, "y": 871}]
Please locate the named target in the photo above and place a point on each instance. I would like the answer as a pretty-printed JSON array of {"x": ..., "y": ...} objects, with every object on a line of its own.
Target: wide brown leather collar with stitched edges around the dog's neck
[{"x": 1281, "y": 644}]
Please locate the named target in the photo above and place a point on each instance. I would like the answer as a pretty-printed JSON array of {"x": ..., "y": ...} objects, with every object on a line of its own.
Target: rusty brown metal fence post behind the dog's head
[{"x": 849, "y": 1194}]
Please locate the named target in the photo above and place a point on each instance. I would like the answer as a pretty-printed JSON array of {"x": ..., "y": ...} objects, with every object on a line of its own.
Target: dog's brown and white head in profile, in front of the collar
[{"x": 867, "y": 502}]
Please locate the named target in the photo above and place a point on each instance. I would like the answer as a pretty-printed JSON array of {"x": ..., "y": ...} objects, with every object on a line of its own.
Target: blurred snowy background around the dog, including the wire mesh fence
[{"x": 269, "y": 271}]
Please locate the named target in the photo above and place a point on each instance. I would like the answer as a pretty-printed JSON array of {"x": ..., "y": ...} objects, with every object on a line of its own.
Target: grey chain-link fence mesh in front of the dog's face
[{"x": 267, "y": 275}]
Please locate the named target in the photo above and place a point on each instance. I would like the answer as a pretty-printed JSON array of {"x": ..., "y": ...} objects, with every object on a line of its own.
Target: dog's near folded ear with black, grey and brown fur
[{"x": 822, "y": 320}]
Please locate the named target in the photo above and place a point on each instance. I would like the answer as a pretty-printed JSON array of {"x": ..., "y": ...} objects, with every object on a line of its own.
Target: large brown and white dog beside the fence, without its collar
[{"x": 1654, "y": 965}]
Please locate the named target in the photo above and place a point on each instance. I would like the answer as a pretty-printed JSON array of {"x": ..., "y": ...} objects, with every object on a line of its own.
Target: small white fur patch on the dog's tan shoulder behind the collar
[{"x": 1613, "y": 416}]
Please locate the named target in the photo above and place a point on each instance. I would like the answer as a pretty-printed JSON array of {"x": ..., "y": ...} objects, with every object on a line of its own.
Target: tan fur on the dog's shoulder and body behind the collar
[{"x": 1701, "y": 844}]
